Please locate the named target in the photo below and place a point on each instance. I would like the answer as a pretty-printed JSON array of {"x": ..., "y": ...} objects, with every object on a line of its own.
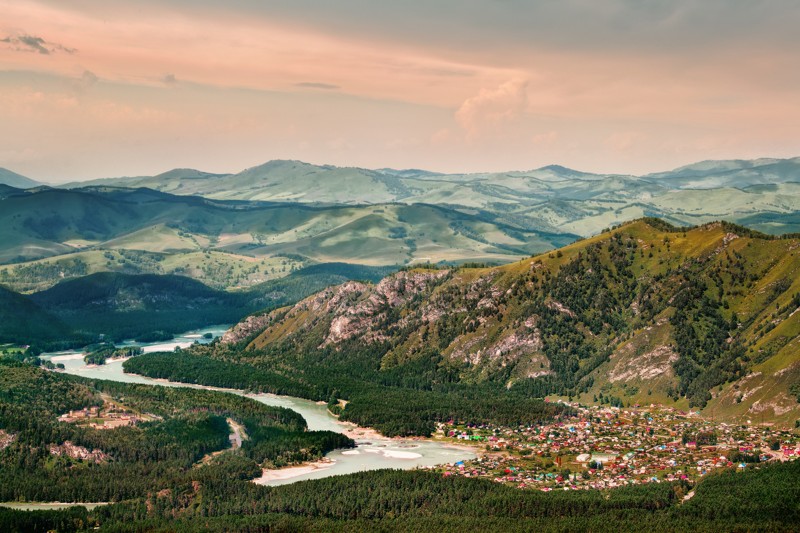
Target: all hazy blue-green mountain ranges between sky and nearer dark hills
[{"x": 237, "y": 230}]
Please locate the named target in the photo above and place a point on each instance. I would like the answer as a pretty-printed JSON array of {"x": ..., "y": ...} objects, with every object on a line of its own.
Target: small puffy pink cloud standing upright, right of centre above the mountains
[{"x": 492, "y": 108}]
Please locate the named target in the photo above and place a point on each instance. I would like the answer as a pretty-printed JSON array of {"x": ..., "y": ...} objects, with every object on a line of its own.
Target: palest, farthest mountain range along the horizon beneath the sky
[{"x": 552, "y": 199}]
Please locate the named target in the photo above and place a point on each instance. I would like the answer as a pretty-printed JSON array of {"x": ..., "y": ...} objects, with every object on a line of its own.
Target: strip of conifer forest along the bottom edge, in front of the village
[{"x": 766, "y": 499}]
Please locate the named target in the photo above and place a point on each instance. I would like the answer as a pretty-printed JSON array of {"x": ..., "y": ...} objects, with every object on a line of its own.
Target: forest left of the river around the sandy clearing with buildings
[{"x": 179, "y": 428}]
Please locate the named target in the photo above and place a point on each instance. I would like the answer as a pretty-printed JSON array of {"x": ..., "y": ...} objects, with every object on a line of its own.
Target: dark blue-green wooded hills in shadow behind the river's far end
[{"x": 150, "y": 307}]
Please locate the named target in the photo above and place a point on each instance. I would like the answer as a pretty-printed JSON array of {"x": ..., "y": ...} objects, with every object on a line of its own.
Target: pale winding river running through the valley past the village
[{"x": 372, "y": 452}]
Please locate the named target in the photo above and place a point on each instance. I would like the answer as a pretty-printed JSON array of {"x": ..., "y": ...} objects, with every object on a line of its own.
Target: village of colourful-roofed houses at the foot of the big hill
[{"x": 605, "y": 447}]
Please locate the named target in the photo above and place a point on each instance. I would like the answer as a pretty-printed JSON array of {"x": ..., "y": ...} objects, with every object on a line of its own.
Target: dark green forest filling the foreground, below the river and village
[{"x": 175, "y": 470}]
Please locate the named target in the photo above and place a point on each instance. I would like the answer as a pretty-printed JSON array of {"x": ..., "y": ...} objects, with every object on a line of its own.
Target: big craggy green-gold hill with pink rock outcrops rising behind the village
[{"x": 703, "y": 317}]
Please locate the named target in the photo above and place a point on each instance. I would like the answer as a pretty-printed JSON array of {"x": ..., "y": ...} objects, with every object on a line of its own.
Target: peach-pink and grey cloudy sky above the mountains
[{"x": 92, "y": 88}]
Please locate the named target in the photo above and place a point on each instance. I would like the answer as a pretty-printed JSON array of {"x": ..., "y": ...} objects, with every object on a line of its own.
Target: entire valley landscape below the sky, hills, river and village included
[{"x": 484, "y": 349}]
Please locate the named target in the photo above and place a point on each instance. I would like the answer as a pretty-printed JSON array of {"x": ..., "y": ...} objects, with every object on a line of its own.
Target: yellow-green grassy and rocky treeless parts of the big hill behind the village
[{"x": 766, "y": 295}]
